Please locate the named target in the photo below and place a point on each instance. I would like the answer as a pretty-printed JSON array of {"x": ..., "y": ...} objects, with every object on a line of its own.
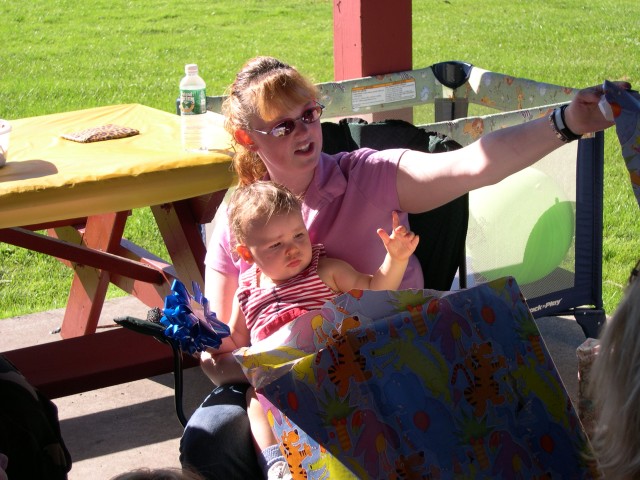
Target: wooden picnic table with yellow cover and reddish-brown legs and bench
[{"x": 72, "y": 200}]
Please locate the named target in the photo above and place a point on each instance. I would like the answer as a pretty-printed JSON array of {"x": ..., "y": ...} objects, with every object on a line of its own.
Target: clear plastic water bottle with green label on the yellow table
[{"x": 193, "y": 107}]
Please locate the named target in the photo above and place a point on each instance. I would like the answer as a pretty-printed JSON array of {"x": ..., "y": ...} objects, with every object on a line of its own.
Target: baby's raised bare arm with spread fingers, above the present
[{"x": 400, "y": 245}]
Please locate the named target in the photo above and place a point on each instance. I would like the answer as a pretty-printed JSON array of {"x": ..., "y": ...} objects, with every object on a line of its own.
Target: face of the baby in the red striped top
[{"x": 280, "y": 246}]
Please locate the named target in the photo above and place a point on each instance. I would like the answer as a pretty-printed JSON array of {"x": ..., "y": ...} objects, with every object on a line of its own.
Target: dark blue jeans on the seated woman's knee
[{"x": 217, "y": 440}]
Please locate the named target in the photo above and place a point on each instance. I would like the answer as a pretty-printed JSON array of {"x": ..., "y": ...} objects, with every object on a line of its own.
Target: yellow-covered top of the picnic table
[{"x": 47, "y": 178}]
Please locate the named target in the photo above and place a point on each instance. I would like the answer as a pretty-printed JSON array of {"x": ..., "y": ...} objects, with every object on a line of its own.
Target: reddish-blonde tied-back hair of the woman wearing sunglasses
[{"x": 265, "y": 87}]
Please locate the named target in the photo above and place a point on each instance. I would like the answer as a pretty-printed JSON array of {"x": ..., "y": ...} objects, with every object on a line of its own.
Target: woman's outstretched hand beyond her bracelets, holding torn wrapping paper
[{"x": 583, "y": 114}]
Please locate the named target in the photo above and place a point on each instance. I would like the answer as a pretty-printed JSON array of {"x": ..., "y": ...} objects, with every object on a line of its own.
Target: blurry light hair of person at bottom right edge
[{"x": 616, "y": 390}]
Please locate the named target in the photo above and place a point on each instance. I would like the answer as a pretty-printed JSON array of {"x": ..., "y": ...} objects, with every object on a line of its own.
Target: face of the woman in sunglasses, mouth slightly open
[{"x": 290, "y": 159}]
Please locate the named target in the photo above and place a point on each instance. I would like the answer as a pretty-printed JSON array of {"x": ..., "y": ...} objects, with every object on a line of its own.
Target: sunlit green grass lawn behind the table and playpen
[{"x": 61, "y": 55}]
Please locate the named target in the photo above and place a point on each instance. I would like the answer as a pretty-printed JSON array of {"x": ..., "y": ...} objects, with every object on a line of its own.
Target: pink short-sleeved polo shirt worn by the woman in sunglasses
[{"x": 351, "y": 195}]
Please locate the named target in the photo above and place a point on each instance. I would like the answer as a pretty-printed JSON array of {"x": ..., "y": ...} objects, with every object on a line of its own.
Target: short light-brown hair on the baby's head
[{"x": 258, "y": 201}]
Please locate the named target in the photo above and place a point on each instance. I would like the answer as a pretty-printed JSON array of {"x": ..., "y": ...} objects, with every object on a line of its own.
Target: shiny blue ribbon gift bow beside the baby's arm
[{"x": 192, "y": 333}]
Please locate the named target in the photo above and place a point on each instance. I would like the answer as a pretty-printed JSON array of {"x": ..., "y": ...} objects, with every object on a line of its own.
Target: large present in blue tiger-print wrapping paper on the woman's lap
[{"x": 419, "y": 384}]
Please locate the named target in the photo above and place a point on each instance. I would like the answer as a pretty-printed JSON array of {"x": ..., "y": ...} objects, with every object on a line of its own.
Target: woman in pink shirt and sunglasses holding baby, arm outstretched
[{"x": 272, "y": 114}]
